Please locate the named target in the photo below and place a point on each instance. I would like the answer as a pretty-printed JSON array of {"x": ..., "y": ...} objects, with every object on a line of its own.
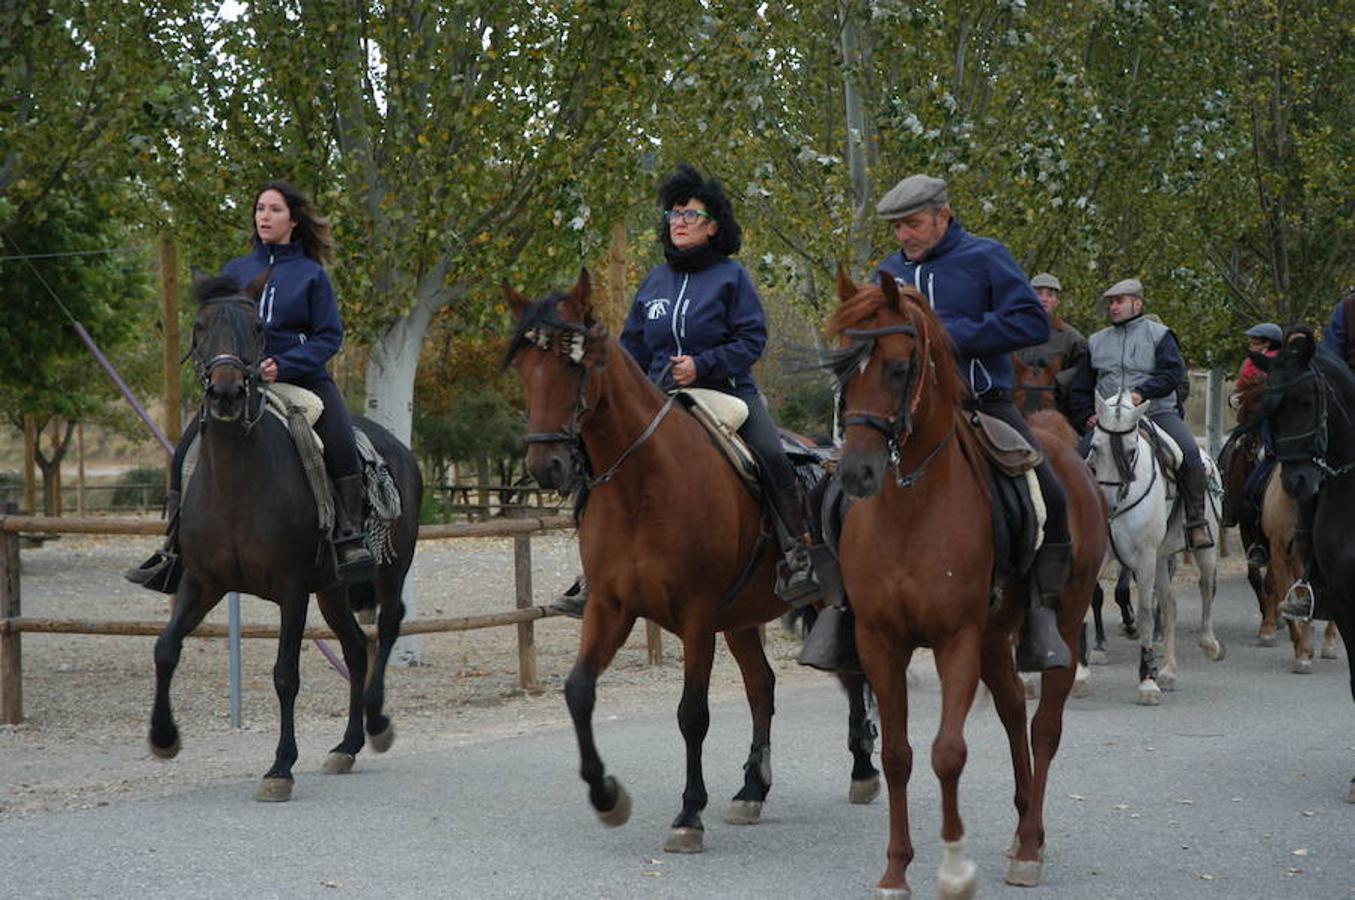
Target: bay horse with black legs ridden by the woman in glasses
[{"x": 669, "y": 533}]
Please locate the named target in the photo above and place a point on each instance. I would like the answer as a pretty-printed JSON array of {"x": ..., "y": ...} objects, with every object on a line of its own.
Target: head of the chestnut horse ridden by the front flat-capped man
[{"x": 896, "y": 377}]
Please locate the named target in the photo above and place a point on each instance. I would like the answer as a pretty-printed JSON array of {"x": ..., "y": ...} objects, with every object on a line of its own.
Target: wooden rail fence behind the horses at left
[{"x": 14, "y": 624}]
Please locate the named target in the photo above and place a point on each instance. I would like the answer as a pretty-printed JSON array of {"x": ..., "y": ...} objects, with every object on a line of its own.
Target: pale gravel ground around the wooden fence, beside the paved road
[{"x": 87, "y": 699}]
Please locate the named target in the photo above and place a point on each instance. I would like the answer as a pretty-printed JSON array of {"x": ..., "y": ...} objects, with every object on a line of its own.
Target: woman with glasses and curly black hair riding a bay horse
[{"x": 697, "y": 322}]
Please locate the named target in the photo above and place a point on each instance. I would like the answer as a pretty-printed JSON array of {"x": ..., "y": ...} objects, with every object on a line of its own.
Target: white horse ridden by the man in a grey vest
[{"x": 1147, "y": 532}]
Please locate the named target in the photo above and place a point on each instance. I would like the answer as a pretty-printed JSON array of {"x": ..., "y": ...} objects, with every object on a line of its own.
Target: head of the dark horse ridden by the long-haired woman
[{"x": 228, "y": 345}]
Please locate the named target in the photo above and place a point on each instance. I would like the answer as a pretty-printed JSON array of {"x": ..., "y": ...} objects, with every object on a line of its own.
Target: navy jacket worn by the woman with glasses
[{"x": 713, "y": 316}]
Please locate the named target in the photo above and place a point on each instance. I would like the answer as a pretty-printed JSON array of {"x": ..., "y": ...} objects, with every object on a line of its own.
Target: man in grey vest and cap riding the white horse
[{"x": 1142, "y": 356}]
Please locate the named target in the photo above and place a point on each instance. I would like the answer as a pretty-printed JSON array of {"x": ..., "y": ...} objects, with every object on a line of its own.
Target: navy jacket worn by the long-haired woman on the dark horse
[{"x": 303, "y": 330}]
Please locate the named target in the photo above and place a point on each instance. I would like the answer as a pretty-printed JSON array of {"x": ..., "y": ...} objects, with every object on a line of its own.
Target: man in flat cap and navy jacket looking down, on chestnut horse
[{"x": 988, "y": 307}]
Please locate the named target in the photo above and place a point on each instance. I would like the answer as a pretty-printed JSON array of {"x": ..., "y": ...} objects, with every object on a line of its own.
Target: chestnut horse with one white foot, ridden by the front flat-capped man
[{"x": 919, "y": 565}]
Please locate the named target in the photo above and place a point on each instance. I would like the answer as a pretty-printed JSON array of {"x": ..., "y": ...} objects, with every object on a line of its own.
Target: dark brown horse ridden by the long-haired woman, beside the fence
[{"x": 249, "y": 524}]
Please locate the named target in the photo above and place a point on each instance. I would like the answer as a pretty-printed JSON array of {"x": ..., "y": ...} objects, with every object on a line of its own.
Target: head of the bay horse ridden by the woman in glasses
[{"x": 556, "y": 348}]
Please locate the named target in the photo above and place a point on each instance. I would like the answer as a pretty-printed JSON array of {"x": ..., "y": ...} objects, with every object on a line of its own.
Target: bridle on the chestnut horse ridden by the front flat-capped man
[{"x": 899, "y": 428}]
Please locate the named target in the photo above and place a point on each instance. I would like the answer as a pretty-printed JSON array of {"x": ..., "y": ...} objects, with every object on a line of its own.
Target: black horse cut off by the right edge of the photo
[{"x": 1311, "y": 409}]
